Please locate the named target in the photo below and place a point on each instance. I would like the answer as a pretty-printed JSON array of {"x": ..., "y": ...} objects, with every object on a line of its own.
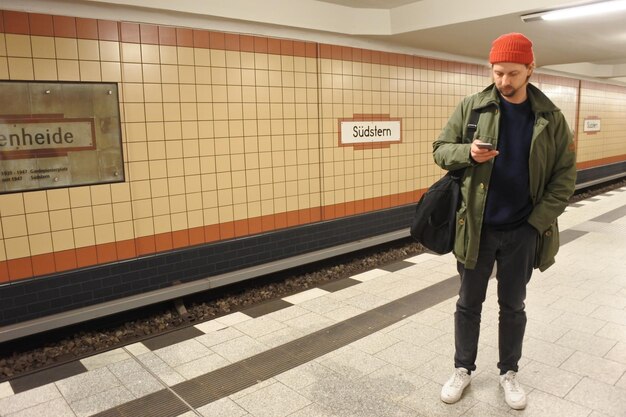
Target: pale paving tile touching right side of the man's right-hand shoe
[{"x": 549, "y": 379}]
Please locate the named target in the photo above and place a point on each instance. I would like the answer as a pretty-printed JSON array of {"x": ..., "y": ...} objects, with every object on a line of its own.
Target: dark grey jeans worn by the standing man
[{"x": 514, "y": 253}]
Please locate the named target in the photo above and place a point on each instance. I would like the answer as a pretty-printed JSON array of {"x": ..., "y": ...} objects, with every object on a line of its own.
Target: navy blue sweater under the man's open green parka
[{"x": 508, "y": 198}]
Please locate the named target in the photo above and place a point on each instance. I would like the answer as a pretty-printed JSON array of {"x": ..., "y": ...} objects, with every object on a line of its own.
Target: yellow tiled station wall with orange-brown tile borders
[{"x": 229, "y": 135}]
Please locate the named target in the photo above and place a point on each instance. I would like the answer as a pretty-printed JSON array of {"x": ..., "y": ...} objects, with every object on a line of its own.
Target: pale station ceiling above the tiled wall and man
[{"x": 587, "y": 48}]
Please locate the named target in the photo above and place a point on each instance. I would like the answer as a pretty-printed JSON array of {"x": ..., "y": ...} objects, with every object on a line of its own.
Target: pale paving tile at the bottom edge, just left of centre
[{"x": 276, "y": 400}]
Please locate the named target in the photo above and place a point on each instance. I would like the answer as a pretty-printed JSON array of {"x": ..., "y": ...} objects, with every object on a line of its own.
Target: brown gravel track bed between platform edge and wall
[{"x": 17, "y": 360}]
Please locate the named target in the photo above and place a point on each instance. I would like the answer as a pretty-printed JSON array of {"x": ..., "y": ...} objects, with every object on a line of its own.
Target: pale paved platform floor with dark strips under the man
[{"x": 376, "y": 344}]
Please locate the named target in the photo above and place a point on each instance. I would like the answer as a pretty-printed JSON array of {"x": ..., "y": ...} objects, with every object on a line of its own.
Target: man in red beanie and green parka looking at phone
[{"x": 519, "y": 174}]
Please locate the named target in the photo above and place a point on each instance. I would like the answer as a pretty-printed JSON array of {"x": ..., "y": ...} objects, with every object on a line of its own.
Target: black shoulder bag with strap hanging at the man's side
[{"x": 434, "y": 223}]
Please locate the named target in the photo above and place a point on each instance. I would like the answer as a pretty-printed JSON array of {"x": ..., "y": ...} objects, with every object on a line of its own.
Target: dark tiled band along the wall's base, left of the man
[{"x": 43, "y": 296}]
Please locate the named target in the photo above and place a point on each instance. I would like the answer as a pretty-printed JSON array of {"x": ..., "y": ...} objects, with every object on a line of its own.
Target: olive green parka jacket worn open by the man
[{"x": 552, "y": 170}]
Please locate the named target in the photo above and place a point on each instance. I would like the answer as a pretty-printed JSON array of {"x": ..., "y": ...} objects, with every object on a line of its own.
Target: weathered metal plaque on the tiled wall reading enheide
[{"x": 59, "y": 134}]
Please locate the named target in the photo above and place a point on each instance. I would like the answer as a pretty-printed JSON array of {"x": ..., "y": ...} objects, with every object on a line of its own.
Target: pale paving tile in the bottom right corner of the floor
[{"x": 597, "y": 396}]
